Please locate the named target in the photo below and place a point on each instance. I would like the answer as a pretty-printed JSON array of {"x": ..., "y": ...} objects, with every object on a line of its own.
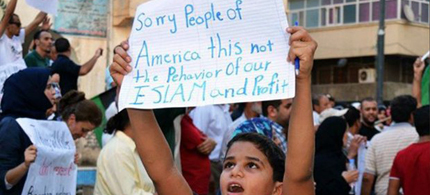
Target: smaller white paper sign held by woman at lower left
[{"x": 53, "y": 172}]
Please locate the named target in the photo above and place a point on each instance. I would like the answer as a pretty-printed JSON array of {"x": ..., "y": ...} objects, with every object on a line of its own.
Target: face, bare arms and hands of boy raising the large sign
[{"x": 247, "y": 168}]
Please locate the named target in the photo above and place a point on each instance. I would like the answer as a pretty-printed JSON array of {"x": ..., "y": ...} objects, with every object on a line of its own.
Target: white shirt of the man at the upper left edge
[{"x": 11, "y": 48}]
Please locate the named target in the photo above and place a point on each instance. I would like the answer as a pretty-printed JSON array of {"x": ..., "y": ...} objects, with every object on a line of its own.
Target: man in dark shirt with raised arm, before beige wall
[{"x": 67, "y": 69}]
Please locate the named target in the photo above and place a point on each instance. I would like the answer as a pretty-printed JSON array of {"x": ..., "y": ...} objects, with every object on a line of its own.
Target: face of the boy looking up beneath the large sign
[{"x": 247, "y": 171}]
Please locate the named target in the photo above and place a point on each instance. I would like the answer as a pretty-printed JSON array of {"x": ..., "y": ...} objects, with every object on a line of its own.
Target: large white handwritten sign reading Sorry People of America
[{"x": 191, "y": 53}]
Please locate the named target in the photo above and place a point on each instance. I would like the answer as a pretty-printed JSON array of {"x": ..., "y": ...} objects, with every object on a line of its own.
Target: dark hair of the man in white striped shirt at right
[{"x": 402, "y": 108}]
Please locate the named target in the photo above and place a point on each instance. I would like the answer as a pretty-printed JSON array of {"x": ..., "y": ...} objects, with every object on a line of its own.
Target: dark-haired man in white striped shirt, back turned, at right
[{"x": 384, "y": 146}]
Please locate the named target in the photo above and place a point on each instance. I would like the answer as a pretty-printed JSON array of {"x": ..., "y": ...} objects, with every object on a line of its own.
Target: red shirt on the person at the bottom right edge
[{"x": 412, "y": 167}]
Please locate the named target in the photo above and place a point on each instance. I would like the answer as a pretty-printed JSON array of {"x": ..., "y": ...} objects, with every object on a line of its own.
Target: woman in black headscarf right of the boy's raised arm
[{"x": 330, "y": 173}]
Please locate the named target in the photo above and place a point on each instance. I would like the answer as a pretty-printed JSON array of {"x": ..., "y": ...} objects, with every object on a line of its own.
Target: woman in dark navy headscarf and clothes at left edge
[{"x": 28, "y": 93}]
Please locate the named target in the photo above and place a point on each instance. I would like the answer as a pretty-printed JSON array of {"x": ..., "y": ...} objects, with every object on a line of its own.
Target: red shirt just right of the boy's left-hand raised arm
[{"x": 196, "y": 167}]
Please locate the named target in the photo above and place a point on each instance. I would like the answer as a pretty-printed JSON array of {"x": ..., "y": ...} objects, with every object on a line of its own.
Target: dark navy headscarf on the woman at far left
[{"x": 24, "y": 94}]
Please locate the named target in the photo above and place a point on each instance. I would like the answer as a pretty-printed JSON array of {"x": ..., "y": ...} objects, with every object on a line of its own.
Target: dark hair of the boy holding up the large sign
[{"x": 273, "y": 153}]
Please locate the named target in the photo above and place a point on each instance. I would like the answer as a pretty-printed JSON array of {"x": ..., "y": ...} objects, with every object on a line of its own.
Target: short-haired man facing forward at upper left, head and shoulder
[{"x": 39, "y": 57}]
